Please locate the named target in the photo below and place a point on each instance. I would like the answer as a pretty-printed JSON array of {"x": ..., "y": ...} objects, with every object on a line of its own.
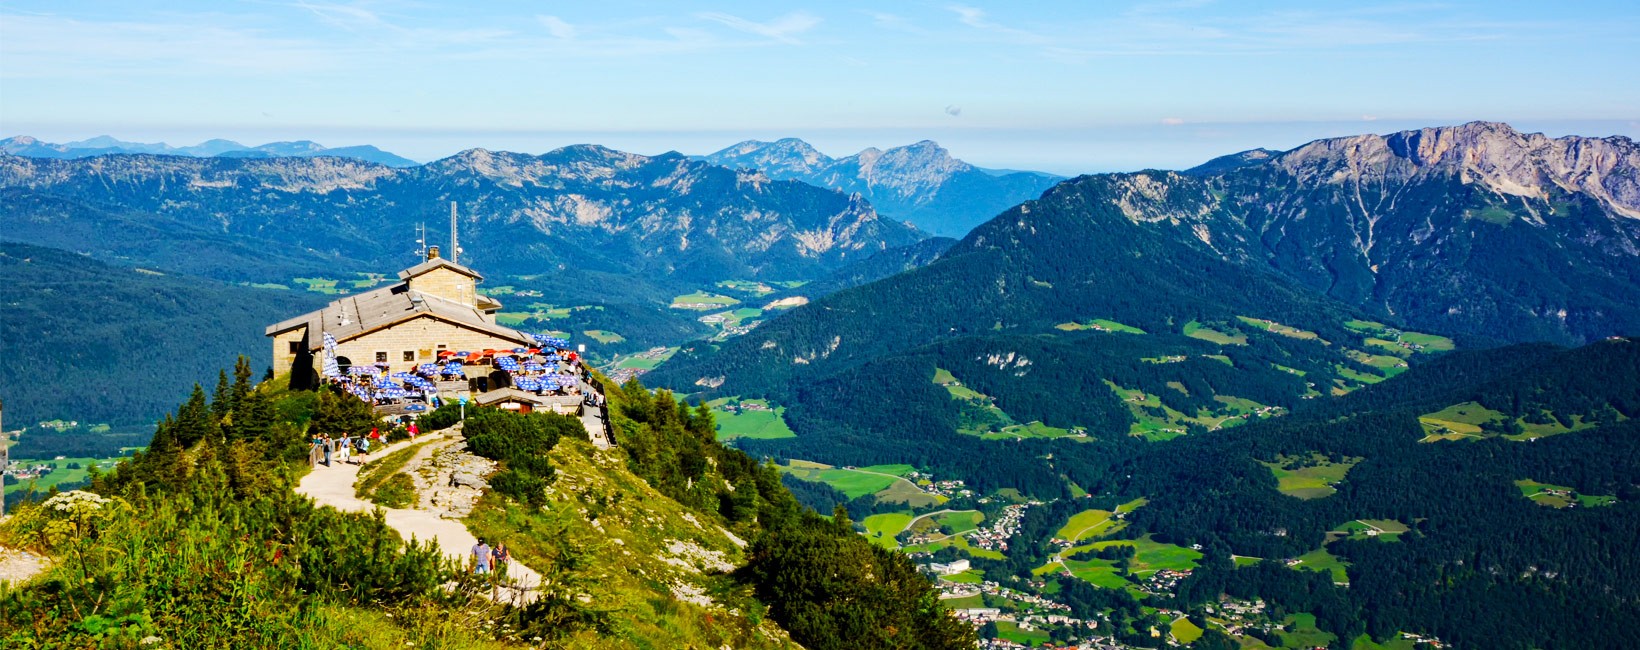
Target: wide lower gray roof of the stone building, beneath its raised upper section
[{"x": 362, "y": 314}]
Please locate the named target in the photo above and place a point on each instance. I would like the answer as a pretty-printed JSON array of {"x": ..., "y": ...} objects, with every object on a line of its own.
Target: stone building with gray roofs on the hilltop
[{"x": 434, "y": 308}]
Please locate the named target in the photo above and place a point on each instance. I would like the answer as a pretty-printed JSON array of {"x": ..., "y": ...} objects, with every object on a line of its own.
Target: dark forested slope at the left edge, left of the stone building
[{"x": 84, "y": 341}]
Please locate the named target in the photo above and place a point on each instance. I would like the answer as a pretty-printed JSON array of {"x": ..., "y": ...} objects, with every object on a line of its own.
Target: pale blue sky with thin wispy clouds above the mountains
[{"x": 1055, "y": 86}]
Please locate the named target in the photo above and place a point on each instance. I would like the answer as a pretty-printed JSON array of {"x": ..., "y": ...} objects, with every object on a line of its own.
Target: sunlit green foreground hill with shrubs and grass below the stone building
[{"x": 672, "y": 541}]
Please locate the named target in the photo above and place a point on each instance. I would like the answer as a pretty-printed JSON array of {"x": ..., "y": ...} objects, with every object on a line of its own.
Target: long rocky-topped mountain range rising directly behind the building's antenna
[{"x": 576, "y": 211}]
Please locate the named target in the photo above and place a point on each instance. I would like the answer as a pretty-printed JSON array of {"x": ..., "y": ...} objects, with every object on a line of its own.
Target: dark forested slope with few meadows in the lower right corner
[{"x": 1492, "y": 559}]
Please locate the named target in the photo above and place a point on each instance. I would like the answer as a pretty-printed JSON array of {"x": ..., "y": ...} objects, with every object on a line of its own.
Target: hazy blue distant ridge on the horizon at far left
[{"x": 109, "y": 145}]
